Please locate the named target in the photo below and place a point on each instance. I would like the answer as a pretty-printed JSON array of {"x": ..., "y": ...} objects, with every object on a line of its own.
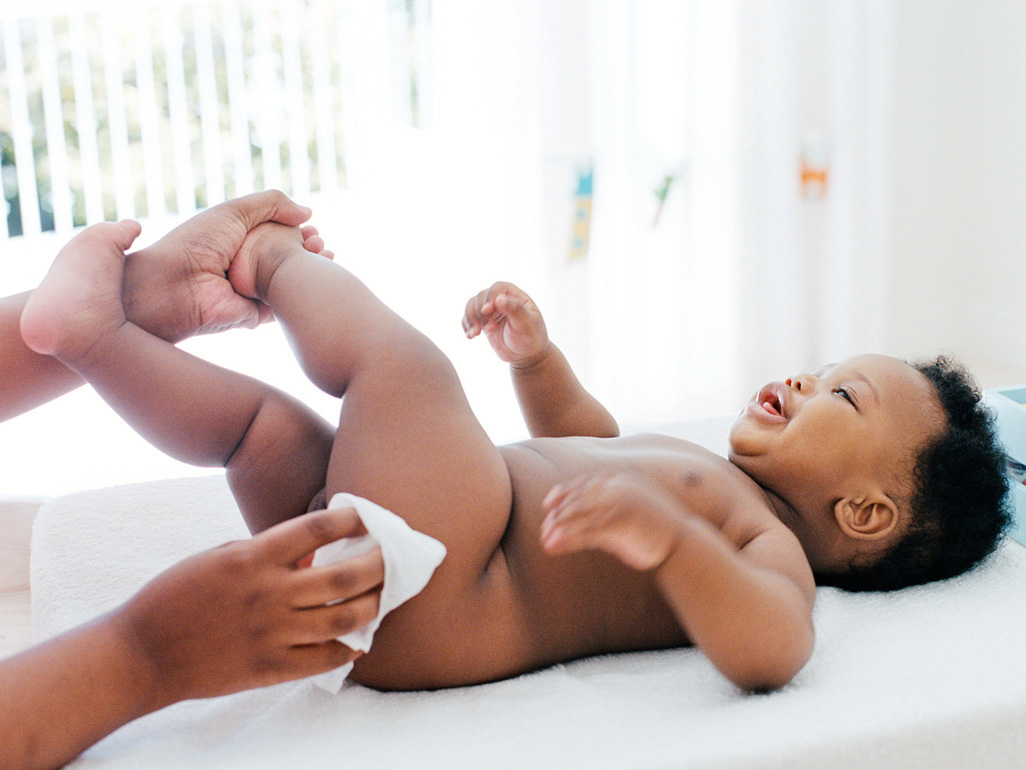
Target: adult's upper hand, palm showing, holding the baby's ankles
[{"x": 179, "y": 288}]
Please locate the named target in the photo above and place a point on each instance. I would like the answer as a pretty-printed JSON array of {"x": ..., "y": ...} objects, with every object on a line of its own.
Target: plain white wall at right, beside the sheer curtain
[{"x": 959, "y": 180}]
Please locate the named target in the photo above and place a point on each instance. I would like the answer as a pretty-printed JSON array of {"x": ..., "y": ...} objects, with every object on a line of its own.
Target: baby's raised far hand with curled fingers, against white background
[{"x": 512, "y": 323}]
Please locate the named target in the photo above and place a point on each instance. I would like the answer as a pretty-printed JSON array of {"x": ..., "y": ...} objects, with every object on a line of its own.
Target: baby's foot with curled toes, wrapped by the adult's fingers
[{"x": 263, "y": 252}]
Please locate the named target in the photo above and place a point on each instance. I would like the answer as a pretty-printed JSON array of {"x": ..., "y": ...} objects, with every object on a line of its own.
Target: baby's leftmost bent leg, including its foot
[{"x": 275, "y": 450}]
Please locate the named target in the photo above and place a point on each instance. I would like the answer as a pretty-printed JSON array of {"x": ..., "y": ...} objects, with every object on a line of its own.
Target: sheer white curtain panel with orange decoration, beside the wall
[{"x": 814, "y": 83}]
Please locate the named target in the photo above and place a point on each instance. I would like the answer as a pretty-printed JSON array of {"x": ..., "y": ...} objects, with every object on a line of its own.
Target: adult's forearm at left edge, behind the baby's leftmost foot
[{"x": 29, "y": 379}]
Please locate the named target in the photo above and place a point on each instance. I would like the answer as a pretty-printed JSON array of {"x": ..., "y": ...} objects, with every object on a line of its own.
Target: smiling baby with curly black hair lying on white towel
[{"x": 867, "y": 474}]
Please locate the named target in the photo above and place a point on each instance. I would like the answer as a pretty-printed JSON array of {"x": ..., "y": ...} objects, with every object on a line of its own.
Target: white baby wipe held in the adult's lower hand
[{"x": 411, "y": 559}]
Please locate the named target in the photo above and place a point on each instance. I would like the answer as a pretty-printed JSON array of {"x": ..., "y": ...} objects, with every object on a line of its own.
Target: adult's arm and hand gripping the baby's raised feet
[{"x": 175, "y": 289}]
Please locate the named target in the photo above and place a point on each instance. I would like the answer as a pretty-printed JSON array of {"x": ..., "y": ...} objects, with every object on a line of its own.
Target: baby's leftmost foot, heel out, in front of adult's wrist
[{"x": 80, "y": 300}]
